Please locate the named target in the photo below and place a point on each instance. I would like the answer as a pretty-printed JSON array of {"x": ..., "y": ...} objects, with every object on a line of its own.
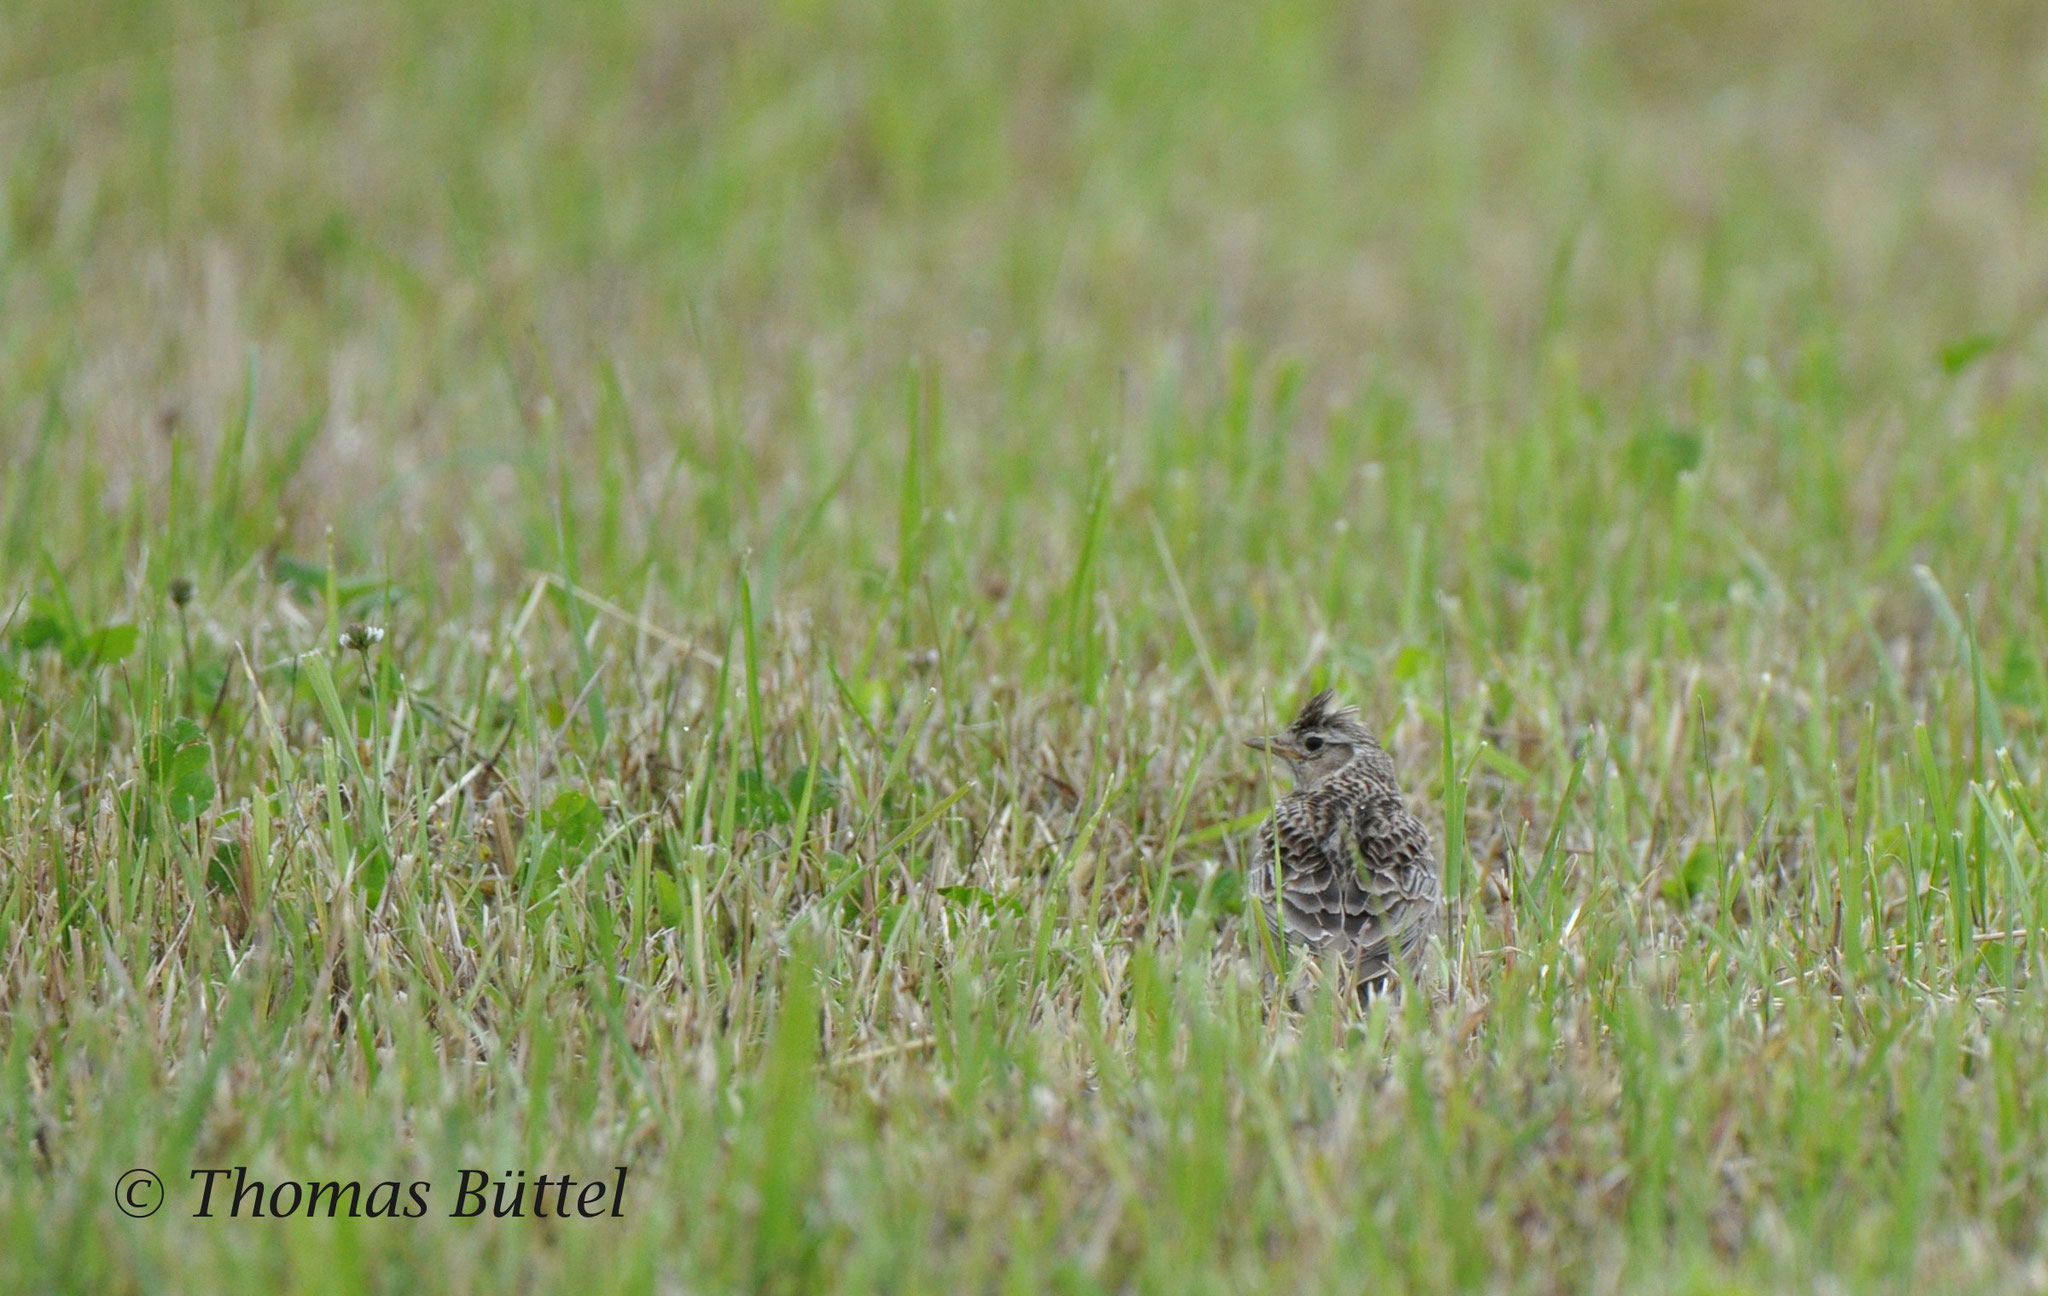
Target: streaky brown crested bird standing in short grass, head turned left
[{"x": 1342, "y": 865}]
